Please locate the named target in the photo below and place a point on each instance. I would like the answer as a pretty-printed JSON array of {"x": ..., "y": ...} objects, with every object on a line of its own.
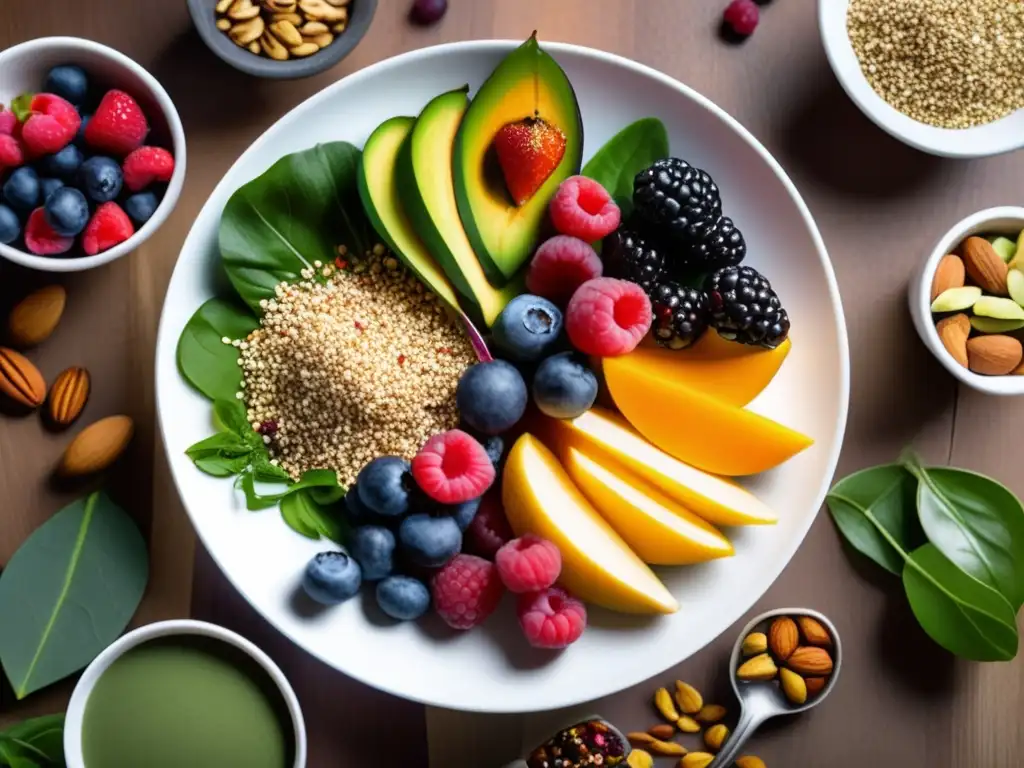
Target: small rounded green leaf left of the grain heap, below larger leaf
[{"x": 204, "y": 360}]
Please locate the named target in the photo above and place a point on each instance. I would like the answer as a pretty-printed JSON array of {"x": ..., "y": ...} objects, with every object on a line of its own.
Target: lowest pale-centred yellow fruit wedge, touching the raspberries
[{"x": 598, "y": 566}]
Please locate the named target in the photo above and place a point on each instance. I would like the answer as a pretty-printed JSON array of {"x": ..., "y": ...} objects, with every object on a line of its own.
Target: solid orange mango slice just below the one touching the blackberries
[{"x": 697, "y": 429}]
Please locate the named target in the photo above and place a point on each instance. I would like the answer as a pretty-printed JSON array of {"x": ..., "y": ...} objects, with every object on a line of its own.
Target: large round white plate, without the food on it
[{"x": 492, "y": 669}]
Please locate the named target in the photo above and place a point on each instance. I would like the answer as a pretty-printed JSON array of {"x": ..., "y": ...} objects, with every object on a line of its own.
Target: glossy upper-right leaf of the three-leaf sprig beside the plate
[{"x": 976, "y": 523}]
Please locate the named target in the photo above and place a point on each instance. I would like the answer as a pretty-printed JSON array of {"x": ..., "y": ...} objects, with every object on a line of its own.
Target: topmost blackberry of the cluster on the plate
[{"x": 677, "y": 198}]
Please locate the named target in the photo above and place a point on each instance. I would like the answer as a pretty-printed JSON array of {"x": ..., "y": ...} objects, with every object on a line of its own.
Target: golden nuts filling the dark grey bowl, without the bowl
[{"x": 283, "y": 29}]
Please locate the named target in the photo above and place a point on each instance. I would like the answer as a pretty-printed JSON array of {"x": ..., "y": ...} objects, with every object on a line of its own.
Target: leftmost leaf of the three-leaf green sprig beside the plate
[{"x": 875, "y": 510}]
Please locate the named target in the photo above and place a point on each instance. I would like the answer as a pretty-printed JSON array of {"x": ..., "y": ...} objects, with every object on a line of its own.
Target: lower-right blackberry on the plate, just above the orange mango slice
[{"x": 745, "y": 309}]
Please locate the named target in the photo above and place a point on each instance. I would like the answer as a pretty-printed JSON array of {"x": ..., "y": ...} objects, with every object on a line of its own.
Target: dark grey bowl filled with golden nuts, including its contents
[{"x": 283, "y": 39}]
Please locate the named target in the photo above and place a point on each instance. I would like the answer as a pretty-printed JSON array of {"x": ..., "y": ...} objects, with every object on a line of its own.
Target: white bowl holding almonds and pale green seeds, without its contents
[{"x": 1008, "y": 221}]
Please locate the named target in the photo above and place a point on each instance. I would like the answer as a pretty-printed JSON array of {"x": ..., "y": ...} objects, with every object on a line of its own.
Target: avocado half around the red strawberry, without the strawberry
[{"x": 528, "y": 83}]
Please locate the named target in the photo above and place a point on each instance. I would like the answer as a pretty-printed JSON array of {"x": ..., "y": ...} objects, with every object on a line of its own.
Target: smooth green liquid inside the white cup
[{"x": 188, "y": 702}]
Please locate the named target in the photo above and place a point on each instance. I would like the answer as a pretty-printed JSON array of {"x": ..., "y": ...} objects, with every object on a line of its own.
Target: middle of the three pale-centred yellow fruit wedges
[{"x": 659, "y": 530}]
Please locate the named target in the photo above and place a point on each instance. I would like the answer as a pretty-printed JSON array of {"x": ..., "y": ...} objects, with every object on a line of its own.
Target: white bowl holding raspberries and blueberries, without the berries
[{"x": 24, "y": 68}]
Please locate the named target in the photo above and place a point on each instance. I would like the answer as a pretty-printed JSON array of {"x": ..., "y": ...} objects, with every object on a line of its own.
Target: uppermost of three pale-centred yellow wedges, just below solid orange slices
[{"x": 607, "y": 436}]
